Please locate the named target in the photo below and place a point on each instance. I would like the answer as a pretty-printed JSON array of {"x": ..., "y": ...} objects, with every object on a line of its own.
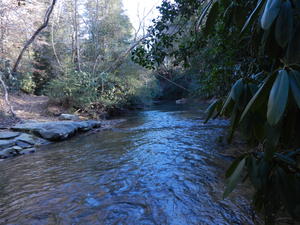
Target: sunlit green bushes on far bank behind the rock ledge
[{"x": 107, "y": 91}]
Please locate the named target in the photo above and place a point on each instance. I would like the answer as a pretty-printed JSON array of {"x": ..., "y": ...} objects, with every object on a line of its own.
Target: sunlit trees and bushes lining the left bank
[{"x": 80, "y": 60}]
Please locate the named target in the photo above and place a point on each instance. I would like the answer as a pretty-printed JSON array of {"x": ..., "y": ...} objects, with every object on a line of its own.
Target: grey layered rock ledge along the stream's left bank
[{"x": 23, "y": 138}]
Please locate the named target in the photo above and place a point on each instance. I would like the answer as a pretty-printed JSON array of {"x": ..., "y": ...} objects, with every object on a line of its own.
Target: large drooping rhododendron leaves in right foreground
[{"x": 270, "y": 116}]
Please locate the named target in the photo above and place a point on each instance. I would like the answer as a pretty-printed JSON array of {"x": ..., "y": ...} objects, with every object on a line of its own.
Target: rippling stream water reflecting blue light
[{"x": 161, "y": 166}]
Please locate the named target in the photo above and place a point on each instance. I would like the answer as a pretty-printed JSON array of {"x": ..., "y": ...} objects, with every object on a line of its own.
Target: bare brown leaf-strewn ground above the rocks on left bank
[{"x": 28, "y": 107}]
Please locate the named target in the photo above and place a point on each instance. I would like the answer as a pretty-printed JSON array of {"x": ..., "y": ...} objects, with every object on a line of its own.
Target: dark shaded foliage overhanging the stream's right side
[{"x": 255, "y": 46}]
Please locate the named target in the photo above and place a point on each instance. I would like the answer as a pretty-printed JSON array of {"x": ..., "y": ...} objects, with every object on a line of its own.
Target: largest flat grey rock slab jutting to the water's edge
[{"x": 58, "y": 130}]
